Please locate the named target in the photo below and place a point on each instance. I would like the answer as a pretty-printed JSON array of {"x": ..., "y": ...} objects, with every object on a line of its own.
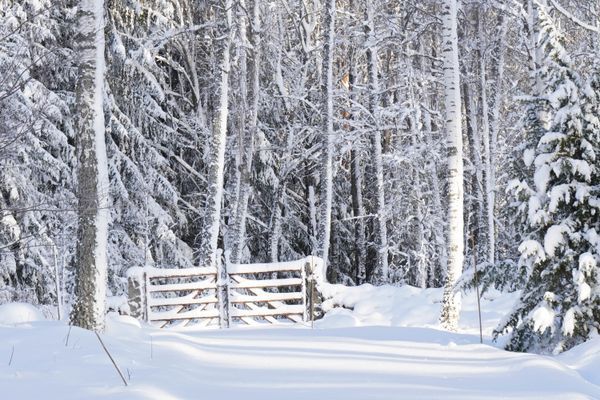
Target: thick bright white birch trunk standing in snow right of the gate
[{"x": 452, "y": 300}]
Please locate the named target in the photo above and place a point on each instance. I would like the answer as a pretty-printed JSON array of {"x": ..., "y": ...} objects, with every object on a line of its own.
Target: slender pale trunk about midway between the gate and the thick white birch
[{"x": 381, "y": 270}]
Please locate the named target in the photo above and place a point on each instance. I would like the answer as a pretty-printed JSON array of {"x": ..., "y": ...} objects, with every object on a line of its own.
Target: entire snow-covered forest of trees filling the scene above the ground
[{"x": 400, "y": 141}]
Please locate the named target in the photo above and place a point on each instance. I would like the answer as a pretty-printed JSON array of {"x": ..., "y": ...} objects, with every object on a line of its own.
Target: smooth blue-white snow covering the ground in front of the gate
[{"x": 345, "y": 356}]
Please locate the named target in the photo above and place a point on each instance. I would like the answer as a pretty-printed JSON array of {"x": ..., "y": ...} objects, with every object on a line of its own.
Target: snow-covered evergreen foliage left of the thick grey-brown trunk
[{"x": 36, "y": 152}]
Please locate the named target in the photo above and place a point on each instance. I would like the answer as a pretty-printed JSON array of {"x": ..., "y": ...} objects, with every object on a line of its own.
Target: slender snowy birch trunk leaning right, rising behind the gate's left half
[{"x": 210, "y": 230}]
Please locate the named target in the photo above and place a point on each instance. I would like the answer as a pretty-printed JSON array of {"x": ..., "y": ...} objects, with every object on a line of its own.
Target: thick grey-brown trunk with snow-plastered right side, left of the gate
[{"x": 93, "y": 212}]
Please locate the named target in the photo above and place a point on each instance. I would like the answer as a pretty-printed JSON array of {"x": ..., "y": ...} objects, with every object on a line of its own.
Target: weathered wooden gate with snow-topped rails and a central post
[{"x": 232, "y": 294}]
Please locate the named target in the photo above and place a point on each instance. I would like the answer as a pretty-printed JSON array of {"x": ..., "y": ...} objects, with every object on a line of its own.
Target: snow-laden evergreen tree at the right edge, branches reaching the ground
[{"x": 559, "y": 306}]
